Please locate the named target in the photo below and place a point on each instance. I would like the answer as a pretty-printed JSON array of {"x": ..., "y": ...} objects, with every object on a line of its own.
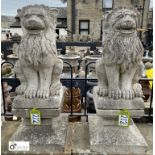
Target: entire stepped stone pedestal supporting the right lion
[{"x": 106, "y": 135}]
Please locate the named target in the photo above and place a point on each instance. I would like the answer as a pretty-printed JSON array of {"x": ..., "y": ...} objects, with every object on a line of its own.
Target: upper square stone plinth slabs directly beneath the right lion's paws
[{"x": 108, "y": 106}]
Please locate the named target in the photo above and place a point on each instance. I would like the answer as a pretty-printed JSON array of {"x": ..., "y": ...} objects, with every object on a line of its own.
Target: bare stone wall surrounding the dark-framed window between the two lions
[{"x": 86, "y": 10}]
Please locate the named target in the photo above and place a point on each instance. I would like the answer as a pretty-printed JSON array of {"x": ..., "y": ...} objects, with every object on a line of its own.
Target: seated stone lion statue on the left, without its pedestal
[{"x": 38, "y": 67}]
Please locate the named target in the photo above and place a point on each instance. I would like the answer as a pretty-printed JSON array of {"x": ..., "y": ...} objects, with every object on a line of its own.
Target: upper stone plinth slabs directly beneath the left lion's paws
[{"x": 49, "y": 108}]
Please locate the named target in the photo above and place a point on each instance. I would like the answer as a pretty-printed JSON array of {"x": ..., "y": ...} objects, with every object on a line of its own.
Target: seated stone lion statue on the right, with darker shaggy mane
[{"x": 121, "y": 65}]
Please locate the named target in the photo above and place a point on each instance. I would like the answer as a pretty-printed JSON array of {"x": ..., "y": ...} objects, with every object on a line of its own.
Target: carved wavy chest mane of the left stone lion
[{"x": 33, "y": 48}]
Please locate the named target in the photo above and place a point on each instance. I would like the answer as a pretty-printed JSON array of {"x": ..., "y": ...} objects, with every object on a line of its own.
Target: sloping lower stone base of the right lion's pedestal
[{"x": 115, "y": 140}]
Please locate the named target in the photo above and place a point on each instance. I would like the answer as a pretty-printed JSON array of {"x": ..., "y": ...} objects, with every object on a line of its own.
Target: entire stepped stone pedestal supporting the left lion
[{"x": 49, "y": 137}]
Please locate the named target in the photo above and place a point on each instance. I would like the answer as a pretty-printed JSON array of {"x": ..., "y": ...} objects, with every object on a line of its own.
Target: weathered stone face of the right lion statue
[{"x": 124, "y": 21}]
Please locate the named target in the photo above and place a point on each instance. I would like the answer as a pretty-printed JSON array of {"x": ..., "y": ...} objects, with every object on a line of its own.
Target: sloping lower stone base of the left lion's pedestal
[{"x": 44, "y": 139}]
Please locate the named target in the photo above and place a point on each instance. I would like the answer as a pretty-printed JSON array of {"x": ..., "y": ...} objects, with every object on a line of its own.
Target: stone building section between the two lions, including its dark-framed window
[{"x": 84, "y": 17}]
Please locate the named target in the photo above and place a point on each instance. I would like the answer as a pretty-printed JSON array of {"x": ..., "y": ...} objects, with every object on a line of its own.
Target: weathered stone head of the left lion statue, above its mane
[{"x": 37, "y": 18}]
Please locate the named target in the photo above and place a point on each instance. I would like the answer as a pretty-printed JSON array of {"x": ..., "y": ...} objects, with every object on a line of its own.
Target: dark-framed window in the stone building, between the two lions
[{"x": 84, "y": 27}]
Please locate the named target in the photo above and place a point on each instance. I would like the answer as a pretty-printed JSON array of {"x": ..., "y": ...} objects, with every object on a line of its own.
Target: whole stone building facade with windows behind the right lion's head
[{"x": 89, "y": 13}]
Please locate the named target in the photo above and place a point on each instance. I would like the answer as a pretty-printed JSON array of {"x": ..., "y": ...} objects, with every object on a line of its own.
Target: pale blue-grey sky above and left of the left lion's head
[{"x": 9, "y": 7}]
